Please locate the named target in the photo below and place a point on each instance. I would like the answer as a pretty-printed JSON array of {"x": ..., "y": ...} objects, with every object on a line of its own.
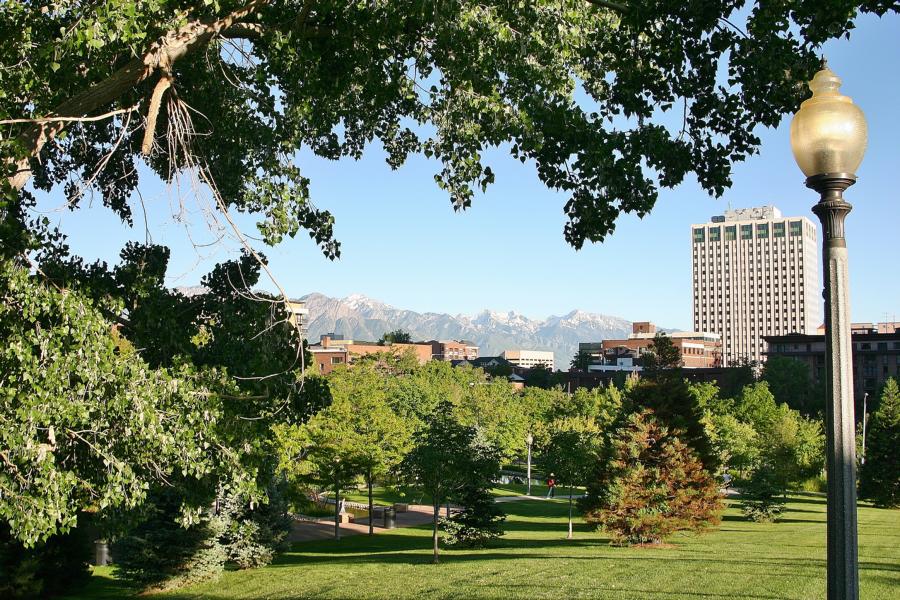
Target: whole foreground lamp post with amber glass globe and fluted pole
[{"x": 828, "y": 138}]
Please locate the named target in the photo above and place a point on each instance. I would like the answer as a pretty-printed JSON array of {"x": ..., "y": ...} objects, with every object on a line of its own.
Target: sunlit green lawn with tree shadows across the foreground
[{"x": 784, "y": 560}]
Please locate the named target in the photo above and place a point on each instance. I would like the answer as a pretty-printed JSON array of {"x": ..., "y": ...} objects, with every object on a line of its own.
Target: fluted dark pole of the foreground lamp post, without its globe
[{"x": 840, "y": 426}]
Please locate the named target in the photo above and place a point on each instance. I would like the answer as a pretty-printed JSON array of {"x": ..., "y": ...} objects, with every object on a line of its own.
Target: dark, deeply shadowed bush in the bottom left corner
[{"x": 58, "y": 565}]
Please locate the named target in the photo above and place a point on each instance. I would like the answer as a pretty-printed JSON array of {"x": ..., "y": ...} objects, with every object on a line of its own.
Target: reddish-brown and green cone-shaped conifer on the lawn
[{"x": 649, "y": 484}]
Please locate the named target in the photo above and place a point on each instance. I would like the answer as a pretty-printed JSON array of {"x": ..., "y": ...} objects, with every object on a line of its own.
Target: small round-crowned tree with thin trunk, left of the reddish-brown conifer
[{"x": 571, "y": 453}]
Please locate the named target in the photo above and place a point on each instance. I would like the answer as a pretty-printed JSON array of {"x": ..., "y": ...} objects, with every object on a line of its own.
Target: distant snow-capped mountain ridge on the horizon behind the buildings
[{"x": 361, "y": 318}]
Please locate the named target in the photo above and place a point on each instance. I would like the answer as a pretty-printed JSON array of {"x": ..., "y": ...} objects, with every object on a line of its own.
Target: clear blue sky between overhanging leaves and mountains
[{"x": 403, "y": 244}]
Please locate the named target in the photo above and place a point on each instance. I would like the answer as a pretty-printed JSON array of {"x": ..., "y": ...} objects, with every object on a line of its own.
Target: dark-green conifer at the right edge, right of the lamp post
[{"x": 879, "y": 477}]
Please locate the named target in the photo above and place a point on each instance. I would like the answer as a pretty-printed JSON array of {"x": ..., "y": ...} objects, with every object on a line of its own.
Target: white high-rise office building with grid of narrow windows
[{"x": 755, "y": 273}]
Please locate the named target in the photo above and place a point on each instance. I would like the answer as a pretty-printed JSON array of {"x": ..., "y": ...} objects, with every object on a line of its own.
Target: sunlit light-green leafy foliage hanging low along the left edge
[{"x": 93, "y": 426}]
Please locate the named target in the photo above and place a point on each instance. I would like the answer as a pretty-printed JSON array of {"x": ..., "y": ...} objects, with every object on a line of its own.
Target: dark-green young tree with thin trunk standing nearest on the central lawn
[{"x": 445, "y": 459}]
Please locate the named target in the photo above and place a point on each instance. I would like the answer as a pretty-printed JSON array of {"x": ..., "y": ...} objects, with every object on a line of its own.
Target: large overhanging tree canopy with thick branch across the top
[{"x": 610, "y": 101}]
